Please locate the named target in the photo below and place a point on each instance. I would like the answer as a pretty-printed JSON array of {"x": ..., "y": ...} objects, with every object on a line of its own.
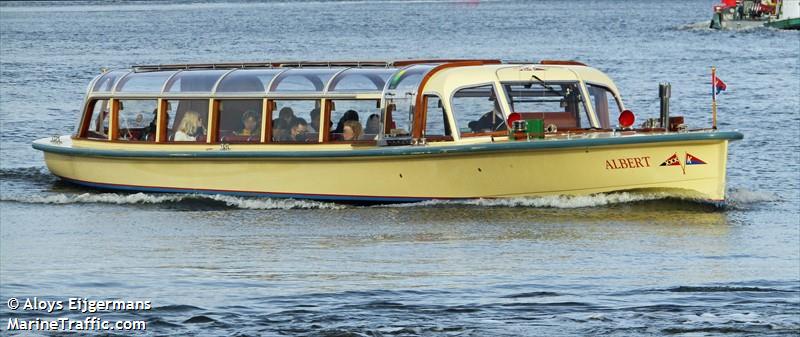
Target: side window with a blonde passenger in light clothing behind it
[{"x": 188, "y": 123}]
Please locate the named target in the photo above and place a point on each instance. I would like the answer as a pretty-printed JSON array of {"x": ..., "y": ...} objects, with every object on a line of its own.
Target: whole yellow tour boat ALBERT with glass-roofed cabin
[{"x": 377, "y": 132}]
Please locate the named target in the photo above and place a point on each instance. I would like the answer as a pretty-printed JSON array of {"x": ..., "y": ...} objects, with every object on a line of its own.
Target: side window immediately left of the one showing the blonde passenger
[{"x": 137, "y": 120}]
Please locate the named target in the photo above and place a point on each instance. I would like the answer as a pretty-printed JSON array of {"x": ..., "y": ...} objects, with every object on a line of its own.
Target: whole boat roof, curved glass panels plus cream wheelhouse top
[{"x": 307, "y": 77}]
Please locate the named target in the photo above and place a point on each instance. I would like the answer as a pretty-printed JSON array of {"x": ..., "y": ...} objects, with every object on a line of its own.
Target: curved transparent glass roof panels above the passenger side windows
[{"x": 253, "y": 81}]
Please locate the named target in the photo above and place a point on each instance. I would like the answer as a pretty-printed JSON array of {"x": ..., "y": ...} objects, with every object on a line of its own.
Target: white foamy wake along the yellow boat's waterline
[{"x": 18, "y": 186}]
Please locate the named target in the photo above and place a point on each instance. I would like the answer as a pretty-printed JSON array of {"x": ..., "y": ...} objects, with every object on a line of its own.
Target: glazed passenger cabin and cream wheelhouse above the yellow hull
[{"x": 381, "y": 103}]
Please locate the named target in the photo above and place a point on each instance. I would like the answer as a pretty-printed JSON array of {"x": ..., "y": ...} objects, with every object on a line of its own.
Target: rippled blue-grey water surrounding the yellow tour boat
[{"x": 613, "y": 264}]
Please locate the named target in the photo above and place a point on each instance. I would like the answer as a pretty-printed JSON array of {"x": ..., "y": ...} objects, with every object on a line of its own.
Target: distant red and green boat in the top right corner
[{"x": 738, "y": 14}]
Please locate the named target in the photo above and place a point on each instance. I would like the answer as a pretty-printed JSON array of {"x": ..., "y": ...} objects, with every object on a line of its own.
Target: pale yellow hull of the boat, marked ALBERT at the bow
[{"x": 692, "y": 168}]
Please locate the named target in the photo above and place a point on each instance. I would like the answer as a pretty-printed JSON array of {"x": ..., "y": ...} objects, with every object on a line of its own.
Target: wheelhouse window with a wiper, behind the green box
[{"x": 560, "y": 104}]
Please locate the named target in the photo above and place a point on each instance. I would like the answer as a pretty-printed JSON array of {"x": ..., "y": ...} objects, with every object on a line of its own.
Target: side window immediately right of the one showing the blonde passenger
[{"x": 240, "y": 120}]
